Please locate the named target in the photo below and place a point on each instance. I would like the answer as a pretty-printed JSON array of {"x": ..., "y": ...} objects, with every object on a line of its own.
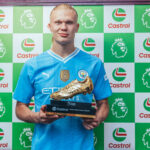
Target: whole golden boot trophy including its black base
[{"x": 69, "y": 108}]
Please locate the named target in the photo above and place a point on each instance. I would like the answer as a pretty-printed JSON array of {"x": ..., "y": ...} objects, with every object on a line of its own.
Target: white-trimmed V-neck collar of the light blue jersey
[{"x": 66, "y": 59}]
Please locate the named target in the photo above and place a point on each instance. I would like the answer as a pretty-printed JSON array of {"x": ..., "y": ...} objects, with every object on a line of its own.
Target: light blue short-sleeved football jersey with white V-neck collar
[{"x": 45, "y": 74}]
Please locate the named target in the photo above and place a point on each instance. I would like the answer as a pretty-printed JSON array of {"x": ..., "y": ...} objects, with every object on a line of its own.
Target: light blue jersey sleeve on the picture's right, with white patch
[{"x": 102, "y": 87}]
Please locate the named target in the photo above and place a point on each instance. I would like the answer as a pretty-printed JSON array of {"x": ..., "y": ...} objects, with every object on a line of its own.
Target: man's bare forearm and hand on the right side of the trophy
[{"x": 101, "y": 115}]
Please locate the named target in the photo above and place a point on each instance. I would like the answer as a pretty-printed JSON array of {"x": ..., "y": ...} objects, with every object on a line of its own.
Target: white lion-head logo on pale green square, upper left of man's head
[{"x": 27, "y": 19}]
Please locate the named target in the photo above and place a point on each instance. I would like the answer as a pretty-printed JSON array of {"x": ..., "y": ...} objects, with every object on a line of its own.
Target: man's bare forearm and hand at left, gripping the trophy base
[{"x": 24, "y": 113}]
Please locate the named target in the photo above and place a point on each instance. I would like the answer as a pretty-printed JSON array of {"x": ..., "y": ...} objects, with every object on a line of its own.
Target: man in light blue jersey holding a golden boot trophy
[{"x": 44, "y": 74}]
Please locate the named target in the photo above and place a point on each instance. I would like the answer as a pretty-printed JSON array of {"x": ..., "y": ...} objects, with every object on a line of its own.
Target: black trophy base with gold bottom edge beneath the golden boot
[{"x": 68, "y": 108}]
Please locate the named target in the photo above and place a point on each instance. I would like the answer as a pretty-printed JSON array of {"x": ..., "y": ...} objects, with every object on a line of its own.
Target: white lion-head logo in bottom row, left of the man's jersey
[{"x": 26, "y": 137}]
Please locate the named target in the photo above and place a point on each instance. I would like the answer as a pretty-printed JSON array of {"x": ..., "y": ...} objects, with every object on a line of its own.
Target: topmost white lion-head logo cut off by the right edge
[{"x": 146, "y": 18}]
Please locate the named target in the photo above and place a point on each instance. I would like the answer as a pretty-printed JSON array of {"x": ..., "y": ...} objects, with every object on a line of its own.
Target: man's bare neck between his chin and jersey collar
[{"x": 63, "y": 50}]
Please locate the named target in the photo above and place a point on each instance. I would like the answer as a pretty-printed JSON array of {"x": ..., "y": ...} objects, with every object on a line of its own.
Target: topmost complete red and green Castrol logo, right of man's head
[{"x": 119, "y": 15}]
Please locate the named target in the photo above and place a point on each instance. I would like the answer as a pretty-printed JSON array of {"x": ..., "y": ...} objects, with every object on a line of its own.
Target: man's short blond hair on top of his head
[{"x": 65, "y": 6}]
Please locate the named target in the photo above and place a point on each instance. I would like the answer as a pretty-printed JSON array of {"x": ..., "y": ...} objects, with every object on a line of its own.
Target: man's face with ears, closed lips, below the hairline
[{"x": 63, "y": 25}]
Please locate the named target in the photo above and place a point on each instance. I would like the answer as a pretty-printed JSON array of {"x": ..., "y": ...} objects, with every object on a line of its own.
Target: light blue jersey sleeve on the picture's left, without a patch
[{"x": 24, "y": 89}]
